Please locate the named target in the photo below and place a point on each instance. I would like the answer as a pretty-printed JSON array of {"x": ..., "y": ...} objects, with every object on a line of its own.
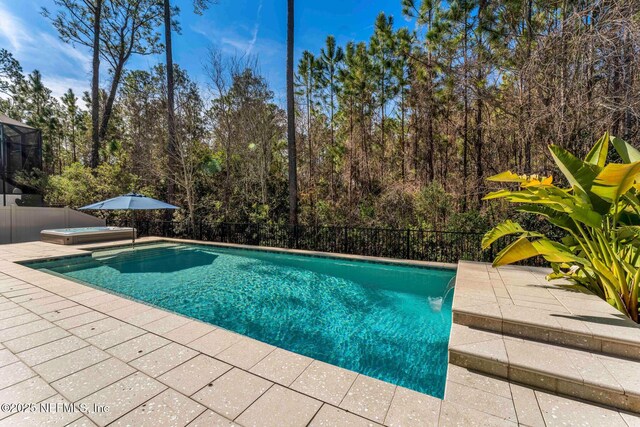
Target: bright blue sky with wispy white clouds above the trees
[{"x": 256, "y": 27}]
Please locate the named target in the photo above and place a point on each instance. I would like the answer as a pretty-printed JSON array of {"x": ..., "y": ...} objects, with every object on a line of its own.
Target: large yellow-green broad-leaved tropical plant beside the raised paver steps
[{"x": 600, "y": 214}]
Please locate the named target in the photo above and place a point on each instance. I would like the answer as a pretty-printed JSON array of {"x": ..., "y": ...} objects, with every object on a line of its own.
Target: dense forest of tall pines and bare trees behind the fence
[{"x": 400, "y": 131}]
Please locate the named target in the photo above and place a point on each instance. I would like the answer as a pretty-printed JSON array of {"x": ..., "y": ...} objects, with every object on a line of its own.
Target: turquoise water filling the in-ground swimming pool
[{"x": 372, "y": 318}]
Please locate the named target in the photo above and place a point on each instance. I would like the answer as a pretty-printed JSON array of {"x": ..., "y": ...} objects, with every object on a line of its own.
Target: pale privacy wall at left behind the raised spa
[{"x": 23, "y": 224}]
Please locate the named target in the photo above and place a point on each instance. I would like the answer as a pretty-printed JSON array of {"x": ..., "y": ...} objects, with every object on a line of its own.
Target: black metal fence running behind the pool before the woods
[{"x": 423, "y": 245}]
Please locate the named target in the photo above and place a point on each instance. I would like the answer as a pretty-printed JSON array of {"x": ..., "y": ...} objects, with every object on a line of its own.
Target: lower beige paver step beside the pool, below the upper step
[{"x": 607, "y": 380}]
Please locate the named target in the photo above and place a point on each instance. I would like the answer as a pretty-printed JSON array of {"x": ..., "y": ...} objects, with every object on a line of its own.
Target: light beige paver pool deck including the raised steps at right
[{"x": 62, "y": 342}]
